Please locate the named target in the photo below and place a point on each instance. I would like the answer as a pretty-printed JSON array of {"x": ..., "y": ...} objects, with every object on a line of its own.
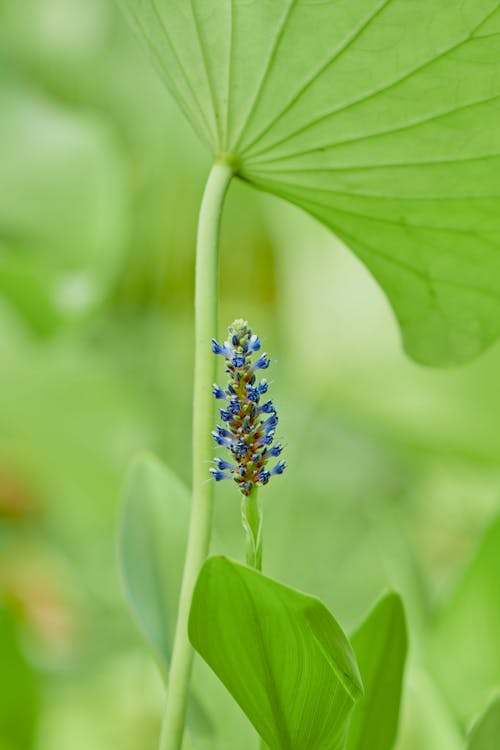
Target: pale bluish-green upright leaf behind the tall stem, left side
[{"x": 152, "y": 540}]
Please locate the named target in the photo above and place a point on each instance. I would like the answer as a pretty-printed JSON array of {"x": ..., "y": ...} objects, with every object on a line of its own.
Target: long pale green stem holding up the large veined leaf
[{"x": 206, "y": 297}]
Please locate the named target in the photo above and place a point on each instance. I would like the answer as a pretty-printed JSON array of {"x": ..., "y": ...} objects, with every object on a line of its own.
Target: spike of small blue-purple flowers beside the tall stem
[{"x": 249, "y": 426}]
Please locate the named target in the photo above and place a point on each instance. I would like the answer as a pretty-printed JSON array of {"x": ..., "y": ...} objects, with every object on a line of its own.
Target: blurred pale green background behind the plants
[{"x": 394, "y": 470}]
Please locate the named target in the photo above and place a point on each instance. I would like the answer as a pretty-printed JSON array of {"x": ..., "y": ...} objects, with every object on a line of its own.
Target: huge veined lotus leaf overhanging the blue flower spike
[{"x": 379, "y": 117}]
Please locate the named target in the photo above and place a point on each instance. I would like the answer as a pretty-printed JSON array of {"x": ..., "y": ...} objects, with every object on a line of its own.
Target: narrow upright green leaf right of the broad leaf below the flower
[{"x": 380, "y": 645}]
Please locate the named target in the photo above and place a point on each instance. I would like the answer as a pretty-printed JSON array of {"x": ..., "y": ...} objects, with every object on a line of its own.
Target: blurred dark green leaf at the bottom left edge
[{"x": 19, "y": 690}]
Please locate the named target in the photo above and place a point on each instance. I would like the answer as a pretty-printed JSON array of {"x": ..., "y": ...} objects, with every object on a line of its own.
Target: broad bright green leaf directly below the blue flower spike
[{"x": 279, "y": 652}]
